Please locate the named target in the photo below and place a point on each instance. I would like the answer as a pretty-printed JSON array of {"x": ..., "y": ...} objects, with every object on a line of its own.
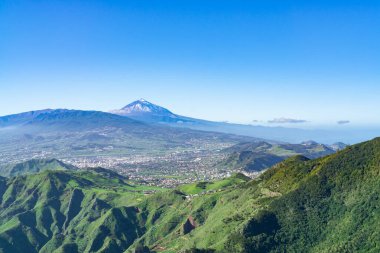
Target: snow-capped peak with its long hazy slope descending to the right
[{"x": 144, "y": 111}]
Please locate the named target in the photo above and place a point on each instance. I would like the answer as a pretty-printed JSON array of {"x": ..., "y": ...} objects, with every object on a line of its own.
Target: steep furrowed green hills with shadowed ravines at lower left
[{"x": 67, "y": 211}]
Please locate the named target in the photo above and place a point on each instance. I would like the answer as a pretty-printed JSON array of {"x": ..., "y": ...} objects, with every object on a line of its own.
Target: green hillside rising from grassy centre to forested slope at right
[{"x": 329, "y": 204}]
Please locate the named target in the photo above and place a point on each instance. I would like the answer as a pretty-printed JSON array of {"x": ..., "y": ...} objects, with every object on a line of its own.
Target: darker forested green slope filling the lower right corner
[{"x": 327, "y": 205}]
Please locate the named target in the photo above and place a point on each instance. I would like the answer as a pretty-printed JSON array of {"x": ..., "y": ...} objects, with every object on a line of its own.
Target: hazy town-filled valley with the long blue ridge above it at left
[{"x": 152, "y": 154}]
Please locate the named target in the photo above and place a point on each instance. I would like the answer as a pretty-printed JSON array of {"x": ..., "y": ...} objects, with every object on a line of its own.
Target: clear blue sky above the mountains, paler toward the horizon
[{"x": 221, "y": 60}]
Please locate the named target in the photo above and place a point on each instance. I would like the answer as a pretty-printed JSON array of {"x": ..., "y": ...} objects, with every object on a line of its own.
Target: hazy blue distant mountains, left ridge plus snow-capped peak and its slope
[{"x": 142, "y": 111}]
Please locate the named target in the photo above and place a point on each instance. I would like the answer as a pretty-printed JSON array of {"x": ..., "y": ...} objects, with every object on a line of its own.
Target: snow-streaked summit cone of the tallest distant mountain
[{"x": 142, "y": 107}]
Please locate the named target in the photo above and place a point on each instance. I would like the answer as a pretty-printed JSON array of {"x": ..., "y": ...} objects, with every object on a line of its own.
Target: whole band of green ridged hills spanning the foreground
[{"x": 330, "y": 204}]
